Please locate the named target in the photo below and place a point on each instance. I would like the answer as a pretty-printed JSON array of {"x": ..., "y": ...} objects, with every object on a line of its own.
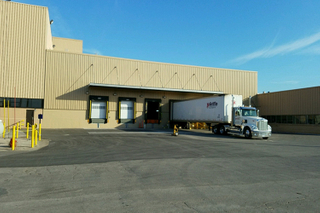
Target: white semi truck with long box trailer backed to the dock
[{"x": 225, "y": 114}]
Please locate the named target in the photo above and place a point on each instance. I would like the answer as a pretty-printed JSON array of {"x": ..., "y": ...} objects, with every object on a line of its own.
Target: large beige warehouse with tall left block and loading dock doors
[{"x": 52, "y": 77}]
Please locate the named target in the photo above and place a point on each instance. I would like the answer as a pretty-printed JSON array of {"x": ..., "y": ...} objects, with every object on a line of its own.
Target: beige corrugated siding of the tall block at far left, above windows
[{"x": 22, "y": 40}]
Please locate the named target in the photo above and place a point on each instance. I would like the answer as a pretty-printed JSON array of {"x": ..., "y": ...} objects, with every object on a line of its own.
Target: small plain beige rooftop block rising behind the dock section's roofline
[{"x": 67, "y": 45}]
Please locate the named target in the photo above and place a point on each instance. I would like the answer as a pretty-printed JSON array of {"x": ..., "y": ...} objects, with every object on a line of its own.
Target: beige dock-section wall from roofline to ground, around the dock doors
[{"x": 68, "y": 75}]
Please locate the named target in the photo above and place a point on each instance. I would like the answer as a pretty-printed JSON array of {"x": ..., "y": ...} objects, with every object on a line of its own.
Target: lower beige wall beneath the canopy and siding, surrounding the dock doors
[{"x": 64, "y": 118}]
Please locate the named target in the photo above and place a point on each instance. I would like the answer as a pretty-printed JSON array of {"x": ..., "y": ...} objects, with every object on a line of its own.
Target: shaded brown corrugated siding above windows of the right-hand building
[{"x": 294, "y": 102}]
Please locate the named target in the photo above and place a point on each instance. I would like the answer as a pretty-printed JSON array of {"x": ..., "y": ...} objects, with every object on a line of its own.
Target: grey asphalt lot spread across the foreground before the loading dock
[{"x": 137, "y": 171}]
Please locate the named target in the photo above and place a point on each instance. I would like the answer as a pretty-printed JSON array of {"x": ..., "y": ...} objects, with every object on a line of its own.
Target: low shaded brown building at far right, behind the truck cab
[{"x": 293, "y": 111}]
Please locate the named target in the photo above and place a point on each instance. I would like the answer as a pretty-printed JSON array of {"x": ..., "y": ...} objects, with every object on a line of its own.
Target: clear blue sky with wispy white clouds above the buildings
[{"x": 278, "y": 39}]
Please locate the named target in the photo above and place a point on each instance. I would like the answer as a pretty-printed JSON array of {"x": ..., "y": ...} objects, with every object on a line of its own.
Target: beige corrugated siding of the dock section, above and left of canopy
[{"x": 68, "y": 75}]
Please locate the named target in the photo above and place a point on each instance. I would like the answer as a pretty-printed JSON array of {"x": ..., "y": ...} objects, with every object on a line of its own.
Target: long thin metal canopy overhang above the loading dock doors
[{"x": 152, "y": 88}]
